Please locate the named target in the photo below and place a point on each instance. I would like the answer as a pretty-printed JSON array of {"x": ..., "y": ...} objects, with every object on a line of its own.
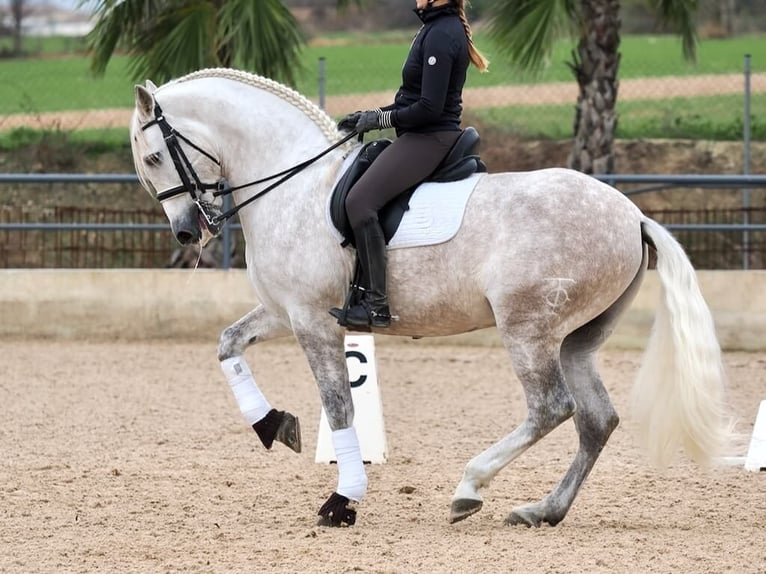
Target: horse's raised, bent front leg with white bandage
[{"x": 268, "y": 423}]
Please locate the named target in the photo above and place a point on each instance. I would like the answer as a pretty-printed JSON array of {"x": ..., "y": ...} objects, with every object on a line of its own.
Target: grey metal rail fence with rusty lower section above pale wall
[{"x": 73, "y": 237}]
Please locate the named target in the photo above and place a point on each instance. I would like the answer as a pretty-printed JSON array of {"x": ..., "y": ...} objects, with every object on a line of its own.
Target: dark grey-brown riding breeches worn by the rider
[{"x": 407, "y": 161}]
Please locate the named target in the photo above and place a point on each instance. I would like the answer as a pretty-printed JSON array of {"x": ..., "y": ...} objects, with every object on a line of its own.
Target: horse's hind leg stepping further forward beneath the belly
[{"x": 549, "y": 403}]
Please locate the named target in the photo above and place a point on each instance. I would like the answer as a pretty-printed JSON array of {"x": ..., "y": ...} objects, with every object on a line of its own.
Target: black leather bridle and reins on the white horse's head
[{"x": 192, "y": 184}]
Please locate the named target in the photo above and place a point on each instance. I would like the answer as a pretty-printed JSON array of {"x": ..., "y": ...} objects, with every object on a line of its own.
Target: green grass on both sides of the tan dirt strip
[{"x": 372, "y": 62}]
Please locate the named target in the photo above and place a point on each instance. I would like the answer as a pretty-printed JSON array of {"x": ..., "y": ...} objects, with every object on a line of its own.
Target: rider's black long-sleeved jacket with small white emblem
[{"x": 430, "y": 97}]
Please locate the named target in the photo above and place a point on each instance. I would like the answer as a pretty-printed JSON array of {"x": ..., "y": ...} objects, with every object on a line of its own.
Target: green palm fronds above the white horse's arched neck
[{"x": 168, "y": 38}]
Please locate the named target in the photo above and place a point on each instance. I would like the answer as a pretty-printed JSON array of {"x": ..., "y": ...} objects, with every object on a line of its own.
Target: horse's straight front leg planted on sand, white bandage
[{"x": 323, "y": 346}]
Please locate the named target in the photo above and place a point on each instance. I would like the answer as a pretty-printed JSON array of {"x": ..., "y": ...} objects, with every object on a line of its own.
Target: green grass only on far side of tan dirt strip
[{"x": 65, "y": 83}]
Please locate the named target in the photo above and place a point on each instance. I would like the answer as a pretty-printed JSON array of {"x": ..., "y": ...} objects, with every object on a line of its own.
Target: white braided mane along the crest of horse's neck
[{"x": 317, "y": 115}]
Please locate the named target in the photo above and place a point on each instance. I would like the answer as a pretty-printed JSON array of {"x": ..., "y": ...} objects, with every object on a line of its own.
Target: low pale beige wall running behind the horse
[{"x": 181, "y": 304}]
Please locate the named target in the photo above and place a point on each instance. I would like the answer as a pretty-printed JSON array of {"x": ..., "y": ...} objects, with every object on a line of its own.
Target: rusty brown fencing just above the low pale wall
[{"x": 137, "y": 247}]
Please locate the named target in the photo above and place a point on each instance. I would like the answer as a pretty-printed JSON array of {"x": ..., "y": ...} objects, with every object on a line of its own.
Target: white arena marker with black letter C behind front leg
[{"x": 368, "y": 408}]
